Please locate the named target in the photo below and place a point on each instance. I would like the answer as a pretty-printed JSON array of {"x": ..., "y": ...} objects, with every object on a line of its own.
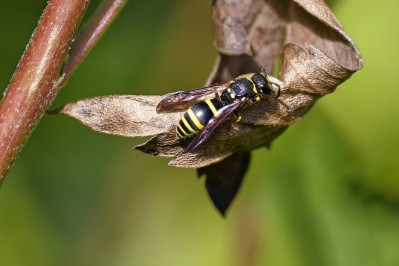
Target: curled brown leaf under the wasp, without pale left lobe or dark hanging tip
[{"x": 316, "y": 56}]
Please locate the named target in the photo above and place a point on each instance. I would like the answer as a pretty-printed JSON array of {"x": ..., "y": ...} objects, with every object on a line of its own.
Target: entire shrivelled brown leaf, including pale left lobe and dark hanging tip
[{"x": 316, "y": 56}]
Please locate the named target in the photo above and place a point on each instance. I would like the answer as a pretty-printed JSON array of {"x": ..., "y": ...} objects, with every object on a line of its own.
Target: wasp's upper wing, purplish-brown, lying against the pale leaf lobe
[{"x": 182, "y": 100}]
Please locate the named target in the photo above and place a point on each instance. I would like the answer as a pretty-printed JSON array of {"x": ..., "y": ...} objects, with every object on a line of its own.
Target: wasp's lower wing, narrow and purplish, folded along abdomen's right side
[{"x": 215, "y": 121}]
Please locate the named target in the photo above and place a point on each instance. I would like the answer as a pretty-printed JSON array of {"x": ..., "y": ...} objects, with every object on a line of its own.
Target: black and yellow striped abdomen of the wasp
[{"x": 197, "y": 116}]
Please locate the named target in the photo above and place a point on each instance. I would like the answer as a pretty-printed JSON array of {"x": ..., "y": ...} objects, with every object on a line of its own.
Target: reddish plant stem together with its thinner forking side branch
[{"x": 37, "y": 79}]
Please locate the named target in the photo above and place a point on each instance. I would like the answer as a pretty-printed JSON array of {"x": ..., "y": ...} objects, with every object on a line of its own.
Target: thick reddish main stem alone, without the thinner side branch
[{"x": 32, "y": 89}]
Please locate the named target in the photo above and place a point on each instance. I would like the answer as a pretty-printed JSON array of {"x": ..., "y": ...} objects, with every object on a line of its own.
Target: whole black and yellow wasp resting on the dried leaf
[{"x": 207, "y": 107}]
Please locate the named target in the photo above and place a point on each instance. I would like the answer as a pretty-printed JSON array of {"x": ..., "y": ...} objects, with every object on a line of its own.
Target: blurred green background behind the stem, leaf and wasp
[{"x": 326, "y": 194}]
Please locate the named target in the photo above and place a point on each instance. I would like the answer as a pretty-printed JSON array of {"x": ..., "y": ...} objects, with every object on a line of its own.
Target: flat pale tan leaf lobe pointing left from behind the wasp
[{"x": 121, "y": 115}]
